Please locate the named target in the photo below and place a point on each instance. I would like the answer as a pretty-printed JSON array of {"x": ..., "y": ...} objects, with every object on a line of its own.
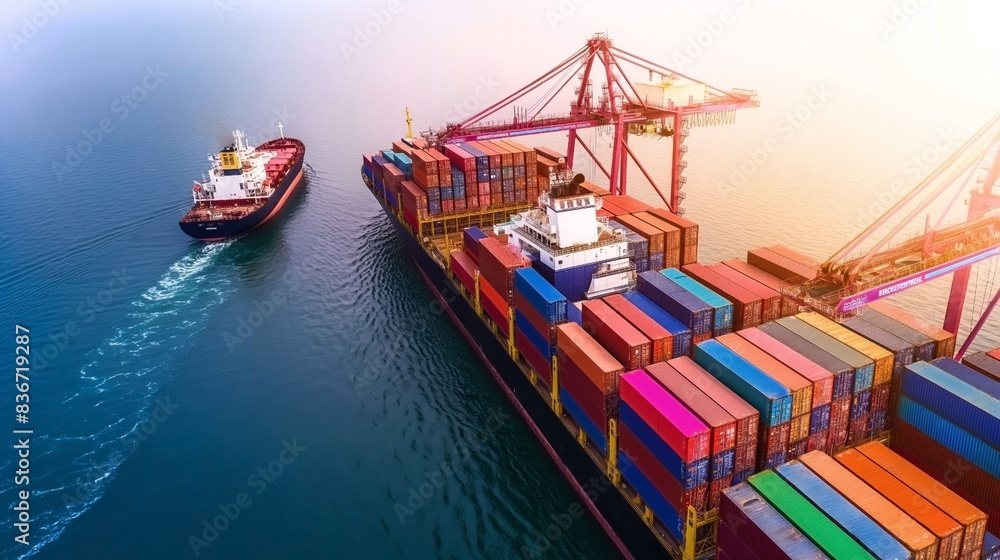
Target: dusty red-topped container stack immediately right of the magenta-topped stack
[{"x": 721, "y": 424}]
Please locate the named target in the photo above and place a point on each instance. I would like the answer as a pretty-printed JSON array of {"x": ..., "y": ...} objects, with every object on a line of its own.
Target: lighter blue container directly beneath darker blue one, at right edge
[{"x": 961, "y": 442}]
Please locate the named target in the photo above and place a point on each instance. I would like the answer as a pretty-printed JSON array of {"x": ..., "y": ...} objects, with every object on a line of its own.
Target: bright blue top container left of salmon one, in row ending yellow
[{"x": 771, "y": 398}]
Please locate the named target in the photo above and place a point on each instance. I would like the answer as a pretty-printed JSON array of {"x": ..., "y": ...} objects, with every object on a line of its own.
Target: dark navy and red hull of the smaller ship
[{"x": 197, "y": 226}]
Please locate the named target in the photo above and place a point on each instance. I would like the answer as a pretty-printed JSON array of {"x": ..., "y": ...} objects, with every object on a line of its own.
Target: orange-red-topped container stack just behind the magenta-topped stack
[{"x": 588, "y": 381}]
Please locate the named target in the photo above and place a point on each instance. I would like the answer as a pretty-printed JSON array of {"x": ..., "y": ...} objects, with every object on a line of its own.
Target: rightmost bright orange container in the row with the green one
[{"x": 973, "y": 520}]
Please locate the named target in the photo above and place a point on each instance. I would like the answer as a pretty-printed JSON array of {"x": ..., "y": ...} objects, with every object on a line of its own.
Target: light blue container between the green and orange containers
[{"x": 867, "y": 532}]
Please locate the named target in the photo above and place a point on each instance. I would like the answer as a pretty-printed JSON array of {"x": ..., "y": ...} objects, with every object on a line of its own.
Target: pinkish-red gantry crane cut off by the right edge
[{"x": 894, "y": 262}]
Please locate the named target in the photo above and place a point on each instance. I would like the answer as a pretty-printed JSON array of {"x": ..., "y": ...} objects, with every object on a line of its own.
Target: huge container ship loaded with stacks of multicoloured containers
[{"x": 735, "y": 411}]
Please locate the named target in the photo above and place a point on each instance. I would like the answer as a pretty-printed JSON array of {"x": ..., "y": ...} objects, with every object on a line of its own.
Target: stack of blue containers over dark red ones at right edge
[{"x": 949, "y": 425}]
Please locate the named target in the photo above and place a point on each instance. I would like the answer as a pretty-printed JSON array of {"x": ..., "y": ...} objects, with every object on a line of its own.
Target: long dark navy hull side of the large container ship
[{"x": 612, "y": 509}]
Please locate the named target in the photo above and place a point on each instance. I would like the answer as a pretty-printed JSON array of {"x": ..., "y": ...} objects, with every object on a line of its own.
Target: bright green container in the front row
[{"x": 820, "y": 529}]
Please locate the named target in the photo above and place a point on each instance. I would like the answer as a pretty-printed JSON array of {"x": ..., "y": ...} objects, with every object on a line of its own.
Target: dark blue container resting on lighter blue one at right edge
[{"x": 965, "y": 406}]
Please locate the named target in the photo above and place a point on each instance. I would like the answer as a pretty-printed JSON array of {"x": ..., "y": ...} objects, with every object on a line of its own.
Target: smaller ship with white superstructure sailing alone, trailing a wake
[{"x": 245, "y": 187}]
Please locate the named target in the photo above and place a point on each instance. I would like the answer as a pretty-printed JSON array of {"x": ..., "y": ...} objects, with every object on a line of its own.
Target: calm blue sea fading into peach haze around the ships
[{"x": 295, "y": 393}]
